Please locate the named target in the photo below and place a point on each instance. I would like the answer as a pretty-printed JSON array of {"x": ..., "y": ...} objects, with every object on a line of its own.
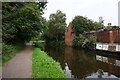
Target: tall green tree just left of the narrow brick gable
[{"x": 56, "y": 27}]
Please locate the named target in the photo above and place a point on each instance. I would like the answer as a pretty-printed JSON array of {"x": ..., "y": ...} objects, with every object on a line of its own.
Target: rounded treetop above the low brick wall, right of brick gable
[{"x": 83, "y": 24}]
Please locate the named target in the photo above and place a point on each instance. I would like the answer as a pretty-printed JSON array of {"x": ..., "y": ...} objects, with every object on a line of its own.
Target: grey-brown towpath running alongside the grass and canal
[{"x": 20, "y": 66}]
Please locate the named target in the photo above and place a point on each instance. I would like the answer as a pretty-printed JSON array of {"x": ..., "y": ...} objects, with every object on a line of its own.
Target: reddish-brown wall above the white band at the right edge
[{"x": 109, "y": 36}]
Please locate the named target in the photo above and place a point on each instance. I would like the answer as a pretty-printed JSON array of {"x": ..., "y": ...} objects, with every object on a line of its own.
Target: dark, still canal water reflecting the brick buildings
[{"x": 81, "y": 63}]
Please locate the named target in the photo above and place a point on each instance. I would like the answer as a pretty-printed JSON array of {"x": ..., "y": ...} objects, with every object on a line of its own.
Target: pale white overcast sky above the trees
[{"x": 92, "y": 9}]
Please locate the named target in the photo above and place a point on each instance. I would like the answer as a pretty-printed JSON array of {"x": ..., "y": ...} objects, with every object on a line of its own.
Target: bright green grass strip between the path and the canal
[{"x": 44, "y": 66}]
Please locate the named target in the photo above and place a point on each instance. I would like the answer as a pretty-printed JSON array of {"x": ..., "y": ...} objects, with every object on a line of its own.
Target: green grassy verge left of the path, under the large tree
[{"x": 9, "y": 51}]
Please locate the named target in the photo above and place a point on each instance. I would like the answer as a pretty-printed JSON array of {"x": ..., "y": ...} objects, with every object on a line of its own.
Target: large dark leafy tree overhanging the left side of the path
[{"x": 21, "y": 21}]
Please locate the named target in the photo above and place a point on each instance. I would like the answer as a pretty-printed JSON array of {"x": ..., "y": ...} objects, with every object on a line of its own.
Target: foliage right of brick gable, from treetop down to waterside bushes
[{"x": 83, "y": 25}]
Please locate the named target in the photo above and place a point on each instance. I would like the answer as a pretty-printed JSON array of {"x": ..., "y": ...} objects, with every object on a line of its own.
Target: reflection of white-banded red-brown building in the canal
[{"x": 108, "y": 64}]
